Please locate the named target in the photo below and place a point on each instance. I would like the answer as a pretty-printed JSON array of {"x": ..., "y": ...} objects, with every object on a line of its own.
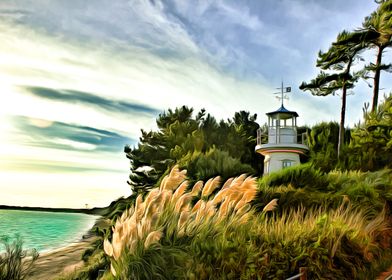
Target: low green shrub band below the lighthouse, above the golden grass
[{"x": 309, "y": 187}]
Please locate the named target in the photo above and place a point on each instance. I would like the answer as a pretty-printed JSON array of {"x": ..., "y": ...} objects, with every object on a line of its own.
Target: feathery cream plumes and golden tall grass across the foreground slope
[{"x": 211, "y": 231}]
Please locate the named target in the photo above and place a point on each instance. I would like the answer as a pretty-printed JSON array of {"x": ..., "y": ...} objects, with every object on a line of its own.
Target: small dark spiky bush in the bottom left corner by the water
[{"x": 13, "y": 262}]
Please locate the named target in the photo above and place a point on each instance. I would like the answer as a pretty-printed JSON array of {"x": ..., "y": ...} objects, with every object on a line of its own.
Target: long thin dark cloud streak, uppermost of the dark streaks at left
[{"x": 74, "y": 96}]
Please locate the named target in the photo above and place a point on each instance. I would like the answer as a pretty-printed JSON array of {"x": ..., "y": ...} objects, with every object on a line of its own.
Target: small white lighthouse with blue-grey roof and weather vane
[{"x": 283, "y": 148}]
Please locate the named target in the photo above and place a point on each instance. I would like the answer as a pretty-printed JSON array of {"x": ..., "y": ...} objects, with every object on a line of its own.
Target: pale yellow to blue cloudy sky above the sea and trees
[{"x": 79, "y": 79}]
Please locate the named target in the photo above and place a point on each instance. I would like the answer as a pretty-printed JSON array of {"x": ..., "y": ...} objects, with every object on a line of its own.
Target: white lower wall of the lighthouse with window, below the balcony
[{"x": 277, "y": 161}]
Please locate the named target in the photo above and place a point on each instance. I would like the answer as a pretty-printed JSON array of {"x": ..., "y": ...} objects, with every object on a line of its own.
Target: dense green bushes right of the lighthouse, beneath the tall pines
[{"x": 367, "y": 147}]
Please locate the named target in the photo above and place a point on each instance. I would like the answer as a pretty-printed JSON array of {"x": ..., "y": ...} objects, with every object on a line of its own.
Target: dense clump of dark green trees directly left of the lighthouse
[{"x": 181, "y": 136}]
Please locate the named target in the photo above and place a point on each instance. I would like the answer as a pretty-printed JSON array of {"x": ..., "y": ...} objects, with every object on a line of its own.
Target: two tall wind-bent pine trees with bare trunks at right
[{"x": 376, "y": 32}]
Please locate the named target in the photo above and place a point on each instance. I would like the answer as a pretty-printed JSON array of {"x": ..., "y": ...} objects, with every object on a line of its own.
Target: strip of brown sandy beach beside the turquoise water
[{"x": 50, "y": 265}]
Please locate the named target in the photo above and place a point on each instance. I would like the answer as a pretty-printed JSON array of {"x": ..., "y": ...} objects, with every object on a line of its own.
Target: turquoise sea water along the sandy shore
[{"x": 44, "y": 231}]
